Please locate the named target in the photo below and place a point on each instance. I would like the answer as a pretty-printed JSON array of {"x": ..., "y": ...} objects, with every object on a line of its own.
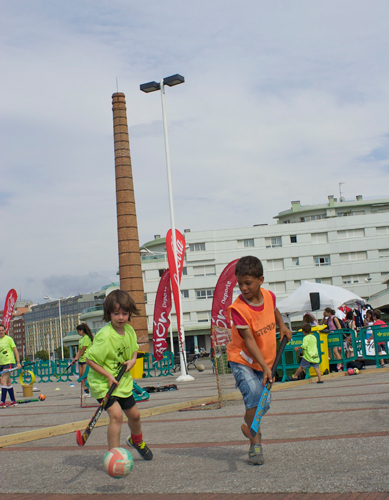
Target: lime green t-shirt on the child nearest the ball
[{"x": 110, "y": 350}]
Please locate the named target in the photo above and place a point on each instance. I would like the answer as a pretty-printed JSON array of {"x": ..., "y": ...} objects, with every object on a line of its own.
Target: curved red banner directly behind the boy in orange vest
[{"x": 222, "y": 297}]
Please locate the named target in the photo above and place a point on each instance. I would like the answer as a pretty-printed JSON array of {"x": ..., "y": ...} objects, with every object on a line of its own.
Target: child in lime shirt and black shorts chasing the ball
[{"x": 113, "y": 346}]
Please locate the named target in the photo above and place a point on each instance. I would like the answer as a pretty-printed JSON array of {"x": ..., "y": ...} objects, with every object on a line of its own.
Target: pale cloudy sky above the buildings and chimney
[{"x": 282, "y": 101}]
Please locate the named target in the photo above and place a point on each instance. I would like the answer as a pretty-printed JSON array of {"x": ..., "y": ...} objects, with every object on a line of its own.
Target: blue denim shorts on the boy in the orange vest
[{"x": 249, "y": 382}]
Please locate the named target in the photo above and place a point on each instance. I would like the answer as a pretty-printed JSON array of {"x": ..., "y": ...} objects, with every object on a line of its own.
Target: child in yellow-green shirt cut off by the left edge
[{"x": 9, "y": 358}]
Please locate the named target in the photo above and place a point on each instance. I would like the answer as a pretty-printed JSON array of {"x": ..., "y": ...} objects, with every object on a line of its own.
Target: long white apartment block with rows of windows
[{"x": 343, "y": 243}]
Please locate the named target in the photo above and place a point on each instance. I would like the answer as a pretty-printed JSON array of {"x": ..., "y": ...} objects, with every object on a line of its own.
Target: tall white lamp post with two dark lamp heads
[{"x": 171, "y": 81}]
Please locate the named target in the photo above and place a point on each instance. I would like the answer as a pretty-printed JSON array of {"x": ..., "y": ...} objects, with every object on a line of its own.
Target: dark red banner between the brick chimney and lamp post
[{"x": 161, "y": 321}]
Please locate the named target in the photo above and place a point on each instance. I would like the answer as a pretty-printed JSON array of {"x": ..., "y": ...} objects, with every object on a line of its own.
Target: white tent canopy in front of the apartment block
[{"x": 330, "y": 296}]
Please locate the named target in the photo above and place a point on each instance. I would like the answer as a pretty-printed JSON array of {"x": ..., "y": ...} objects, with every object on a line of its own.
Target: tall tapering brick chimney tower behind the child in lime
[{"x": 130, "y": 270}]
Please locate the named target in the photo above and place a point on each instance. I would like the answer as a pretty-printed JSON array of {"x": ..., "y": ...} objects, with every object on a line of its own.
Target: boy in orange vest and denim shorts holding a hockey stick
[{"x": 252, "y": 350}]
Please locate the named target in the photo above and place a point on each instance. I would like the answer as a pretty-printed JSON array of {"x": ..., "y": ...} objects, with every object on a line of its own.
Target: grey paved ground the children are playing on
[{"x": 324, "y": 442}]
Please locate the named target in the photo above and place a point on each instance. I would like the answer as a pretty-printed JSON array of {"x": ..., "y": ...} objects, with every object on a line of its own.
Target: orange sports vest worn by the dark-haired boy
[{"x": 263, "y": 327}]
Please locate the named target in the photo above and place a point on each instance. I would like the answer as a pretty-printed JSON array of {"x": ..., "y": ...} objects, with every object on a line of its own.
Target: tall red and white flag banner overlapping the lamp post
[{"x": 176, "y": 272}]
